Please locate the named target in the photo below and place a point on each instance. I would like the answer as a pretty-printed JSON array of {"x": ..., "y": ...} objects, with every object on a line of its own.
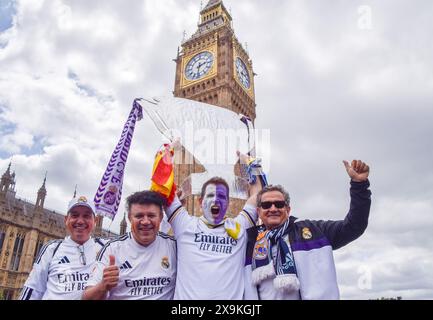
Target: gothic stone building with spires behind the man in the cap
[{"x": 24, "y": 228}]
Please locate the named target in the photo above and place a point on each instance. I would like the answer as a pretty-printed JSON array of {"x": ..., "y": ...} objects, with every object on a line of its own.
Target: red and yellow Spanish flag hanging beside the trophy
[{"x": 162, "y": 180}]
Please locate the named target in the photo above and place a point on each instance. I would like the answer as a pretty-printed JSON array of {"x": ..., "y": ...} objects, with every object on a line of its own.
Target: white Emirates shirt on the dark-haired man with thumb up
[{"x": 145, "y": 272}]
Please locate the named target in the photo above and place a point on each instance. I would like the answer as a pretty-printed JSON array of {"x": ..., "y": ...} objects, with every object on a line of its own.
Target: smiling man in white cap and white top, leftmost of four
[{"x": 63, "y": 266}]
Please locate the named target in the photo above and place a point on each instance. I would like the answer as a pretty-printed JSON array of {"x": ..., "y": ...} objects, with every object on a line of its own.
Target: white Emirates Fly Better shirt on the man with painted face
[{"x": 210, "y": 262}]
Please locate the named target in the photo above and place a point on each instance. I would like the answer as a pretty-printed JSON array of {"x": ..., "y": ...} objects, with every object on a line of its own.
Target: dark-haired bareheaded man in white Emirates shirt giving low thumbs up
[{"x": 140, "y": 264}]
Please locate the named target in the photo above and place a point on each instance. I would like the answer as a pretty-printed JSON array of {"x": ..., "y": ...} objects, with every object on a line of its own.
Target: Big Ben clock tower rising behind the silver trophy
[{"x": 213, "y": 67}]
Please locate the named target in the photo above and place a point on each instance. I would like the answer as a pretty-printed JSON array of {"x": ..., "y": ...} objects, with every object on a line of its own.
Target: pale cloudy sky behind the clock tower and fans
[{"x": 336, "y": 80}]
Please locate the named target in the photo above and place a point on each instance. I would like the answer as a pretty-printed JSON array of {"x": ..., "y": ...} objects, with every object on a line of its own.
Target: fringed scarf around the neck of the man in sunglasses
[{"x": 282, "y": 268}]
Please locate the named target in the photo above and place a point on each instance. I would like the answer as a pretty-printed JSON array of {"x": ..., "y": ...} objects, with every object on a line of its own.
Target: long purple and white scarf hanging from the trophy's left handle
[{"x": 109, "y": 193}]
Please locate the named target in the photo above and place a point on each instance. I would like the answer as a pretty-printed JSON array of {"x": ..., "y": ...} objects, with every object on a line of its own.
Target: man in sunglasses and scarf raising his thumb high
[{"x": 291, "y": 259}]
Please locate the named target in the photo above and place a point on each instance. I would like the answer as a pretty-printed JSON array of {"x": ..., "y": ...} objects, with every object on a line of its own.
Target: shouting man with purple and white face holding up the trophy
[{"x": 211, "y": 248}]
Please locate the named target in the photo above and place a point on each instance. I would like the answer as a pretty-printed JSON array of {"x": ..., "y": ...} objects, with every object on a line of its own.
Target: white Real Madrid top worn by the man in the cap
[{"x": 61, "y": 270}]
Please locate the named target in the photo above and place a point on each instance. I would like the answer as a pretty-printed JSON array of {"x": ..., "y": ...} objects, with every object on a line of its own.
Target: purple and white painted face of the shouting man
[{"x": 215, "y": 196}]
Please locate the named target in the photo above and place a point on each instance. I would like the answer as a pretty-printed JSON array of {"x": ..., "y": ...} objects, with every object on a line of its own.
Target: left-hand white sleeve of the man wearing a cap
[{"x": 36, "y": 284}]
